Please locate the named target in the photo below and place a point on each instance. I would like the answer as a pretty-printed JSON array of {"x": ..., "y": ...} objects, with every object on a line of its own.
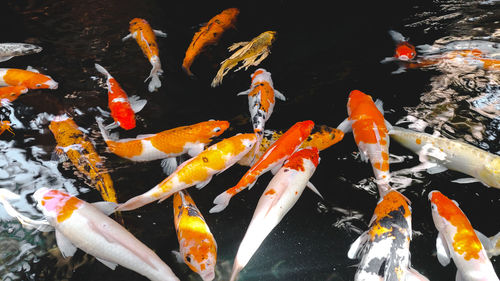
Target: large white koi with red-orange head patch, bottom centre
[{"x": 280, "y": 196}]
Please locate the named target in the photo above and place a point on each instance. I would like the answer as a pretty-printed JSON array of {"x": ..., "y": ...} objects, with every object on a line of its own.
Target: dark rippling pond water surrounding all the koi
[{"x": 320, "y": 55}]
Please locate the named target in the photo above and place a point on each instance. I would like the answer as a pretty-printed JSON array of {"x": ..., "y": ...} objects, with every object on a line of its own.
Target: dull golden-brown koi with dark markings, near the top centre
[{"x": 251, "y": 53}]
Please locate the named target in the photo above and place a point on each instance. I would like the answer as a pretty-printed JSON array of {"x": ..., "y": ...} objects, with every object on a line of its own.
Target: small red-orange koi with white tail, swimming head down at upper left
[{"x": 122, "y": 109}]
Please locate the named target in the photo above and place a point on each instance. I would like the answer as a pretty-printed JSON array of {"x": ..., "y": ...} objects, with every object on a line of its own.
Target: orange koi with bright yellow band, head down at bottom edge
[{"x": 197, "y": 245}]
